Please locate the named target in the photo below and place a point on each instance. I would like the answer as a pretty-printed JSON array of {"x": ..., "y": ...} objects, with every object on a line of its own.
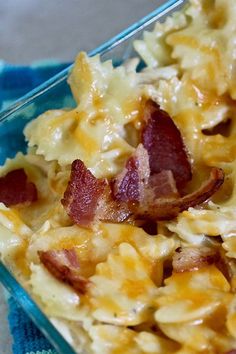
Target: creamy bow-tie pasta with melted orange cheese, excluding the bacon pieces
[{"x": 136, "y": 301}]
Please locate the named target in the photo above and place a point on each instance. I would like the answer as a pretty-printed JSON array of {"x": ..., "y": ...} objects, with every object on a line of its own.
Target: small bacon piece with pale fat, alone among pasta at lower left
[{"x": 64, "y": 265}]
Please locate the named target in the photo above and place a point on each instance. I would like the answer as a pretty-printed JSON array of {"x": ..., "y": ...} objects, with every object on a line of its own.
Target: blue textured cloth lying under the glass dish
[{"x": 15, "y": 81}]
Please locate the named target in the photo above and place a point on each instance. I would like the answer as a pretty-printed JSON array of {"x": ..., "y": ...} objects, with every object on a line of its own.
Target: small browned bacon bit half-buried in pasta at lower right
[{"x": 193, "y": 258}]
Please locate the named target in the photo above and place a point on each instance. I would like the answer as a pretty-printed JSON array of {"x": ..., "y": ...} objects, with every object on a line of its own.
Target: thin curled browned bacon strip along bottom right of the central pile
[{"x": 167, "y": 208}]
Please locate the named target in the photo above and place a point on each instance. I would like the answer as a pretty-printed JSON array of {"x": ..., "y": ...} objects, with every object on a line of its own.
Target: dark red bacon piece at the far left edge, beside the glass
[{"x": 15, "y": 190}]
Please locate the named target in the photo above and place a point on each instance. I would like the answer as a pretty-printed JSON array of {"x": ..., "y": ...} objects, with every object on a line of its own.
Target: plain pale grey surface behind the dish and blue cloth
[{"x": 32, "y": 30}]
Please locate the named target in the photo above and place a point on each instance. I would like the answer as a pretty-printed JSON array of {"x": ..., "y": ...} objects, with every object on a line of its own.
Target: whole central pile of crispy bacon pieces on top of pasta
[{"x": 147, "y": 188}]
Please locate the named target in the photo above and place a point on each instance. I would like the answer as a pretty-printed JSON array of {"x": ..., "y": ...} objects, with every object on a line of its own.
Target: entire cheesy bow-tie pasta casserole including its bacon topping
[{"x": 124, "y": 207}]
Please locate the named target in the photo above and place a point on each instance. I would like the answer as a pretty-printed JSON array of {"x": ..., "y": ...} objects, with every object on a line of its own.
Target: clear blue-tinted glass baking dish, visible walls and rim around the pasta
[{"x": 55, "y": 94}]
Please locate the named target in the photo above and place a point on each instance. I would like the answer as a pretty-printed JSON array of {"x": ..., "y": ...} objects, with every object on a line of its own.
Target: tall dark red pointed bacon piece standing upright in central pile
[{"x": 164, "y": 144}]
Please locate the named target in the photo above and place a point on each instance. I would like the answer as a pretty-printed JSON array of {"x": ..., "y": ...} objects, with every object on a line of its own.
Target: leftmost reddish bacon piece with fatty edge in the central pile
[{"x": 88, "y": 199}]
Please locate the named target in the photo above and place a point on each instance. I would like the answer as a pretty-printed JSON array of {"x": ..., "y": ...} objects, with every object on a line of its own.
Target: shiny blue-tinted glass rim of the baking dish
[{"x": 6, "y": 278}]
